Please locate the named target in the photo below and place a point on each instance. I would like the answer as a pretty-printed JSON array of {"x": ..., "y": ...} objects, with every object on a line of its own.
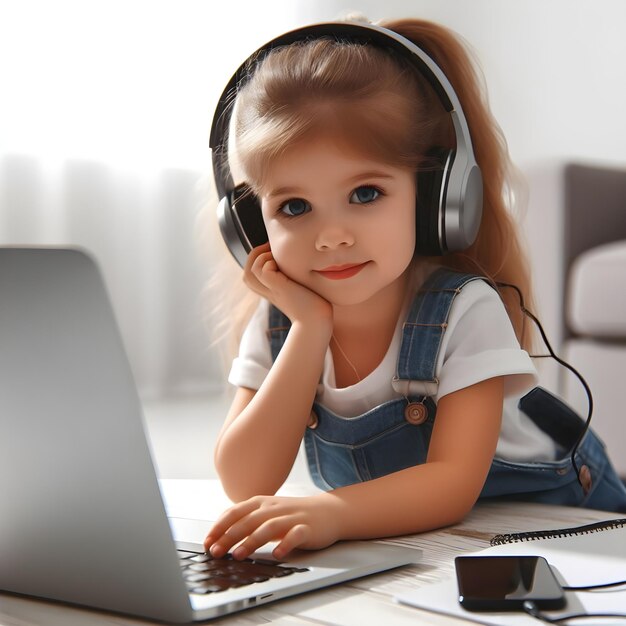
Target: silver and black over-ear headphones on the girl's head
[{"x": 449, "y": 199}]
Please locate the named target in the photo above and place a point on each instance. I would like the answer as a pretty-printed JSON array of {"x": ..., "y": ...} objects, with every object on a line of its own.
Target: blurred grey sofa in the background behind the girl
[{"x": 594, "y": 297}]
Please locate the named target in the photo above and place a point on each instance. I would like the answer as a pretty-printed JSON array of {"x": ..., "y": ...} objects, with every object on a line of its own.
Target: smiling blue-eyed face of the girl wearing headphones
[{"x": 339, "y": 223}]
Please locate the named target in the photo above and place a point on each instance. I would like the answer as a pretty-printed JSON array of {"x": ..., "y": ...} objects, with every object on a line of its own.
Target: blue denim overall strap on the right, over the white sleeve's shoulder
[{"x": 423, "y": 331}]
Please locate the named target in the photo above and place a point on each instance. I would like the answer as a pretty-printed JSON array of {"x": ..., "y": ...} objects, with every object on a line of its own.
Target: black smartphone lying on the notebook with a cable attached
[{"x": 504, "y": 583}]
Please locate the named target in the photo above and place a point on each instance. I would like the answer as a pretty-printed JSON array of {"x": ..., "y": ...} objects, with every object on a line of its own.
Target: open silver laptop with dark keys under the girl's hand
[{"x": 82, "y": 517}]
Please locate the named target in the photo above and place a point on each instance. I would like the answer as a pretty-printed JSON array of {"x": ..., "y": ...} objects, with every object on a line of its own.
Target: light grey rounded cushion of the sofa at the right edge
[{"x": 596, "y": 304}]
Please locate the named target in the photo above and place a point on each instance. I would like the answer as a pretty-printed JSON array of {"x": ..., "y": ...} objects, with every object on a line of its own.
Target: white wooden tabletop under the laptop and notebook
[{"x": 363, "y": 602}]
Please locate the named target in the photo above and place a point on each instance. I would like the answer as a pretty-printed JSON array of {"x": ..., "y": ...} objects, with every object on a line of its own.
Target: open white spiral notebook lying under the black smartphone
[{"x": 582, "y": 555}]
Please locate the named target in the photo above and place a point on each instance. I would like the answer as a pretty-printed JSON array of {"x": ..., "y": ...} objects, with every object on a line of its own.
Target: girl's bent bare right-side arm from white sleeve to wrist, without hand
[{"x": 442, "y": 490}]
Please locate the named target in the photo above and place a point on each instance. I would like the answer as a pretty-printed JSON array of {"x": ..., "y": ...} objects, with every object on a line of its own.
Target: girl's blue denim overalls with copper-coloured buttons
[{"x": 395, "y": 435}]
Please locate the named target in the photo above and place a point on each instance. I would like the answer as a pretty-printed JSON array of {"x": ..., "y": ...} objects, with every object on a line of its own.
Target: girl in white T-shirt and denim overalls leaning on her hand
[{"x": 399, "y": 365}]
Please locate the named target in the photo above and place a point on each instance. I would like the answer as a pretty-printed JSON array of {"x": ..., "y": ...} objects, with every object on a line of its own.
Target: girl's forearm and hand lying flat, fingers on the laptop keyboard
[{"x": 413, "y": 500}]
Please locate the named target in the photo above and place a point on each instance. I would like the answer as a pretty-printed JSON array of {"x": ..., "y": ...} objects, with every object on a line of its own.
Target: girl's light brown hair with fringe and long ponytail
[{"x": 373, "y": 101}]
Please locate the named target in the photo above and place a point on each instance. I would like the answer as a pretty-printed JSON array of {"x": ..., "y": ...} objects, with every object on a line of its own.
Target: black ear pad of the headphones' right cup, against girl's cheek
[{"x": 430, "y": 202}]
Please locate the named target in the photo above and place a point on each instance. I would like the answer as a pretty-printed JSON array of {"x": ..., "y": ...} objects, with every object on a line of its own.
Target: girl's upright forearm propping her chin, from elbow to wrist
[{"x": 257, "y": 448}]
